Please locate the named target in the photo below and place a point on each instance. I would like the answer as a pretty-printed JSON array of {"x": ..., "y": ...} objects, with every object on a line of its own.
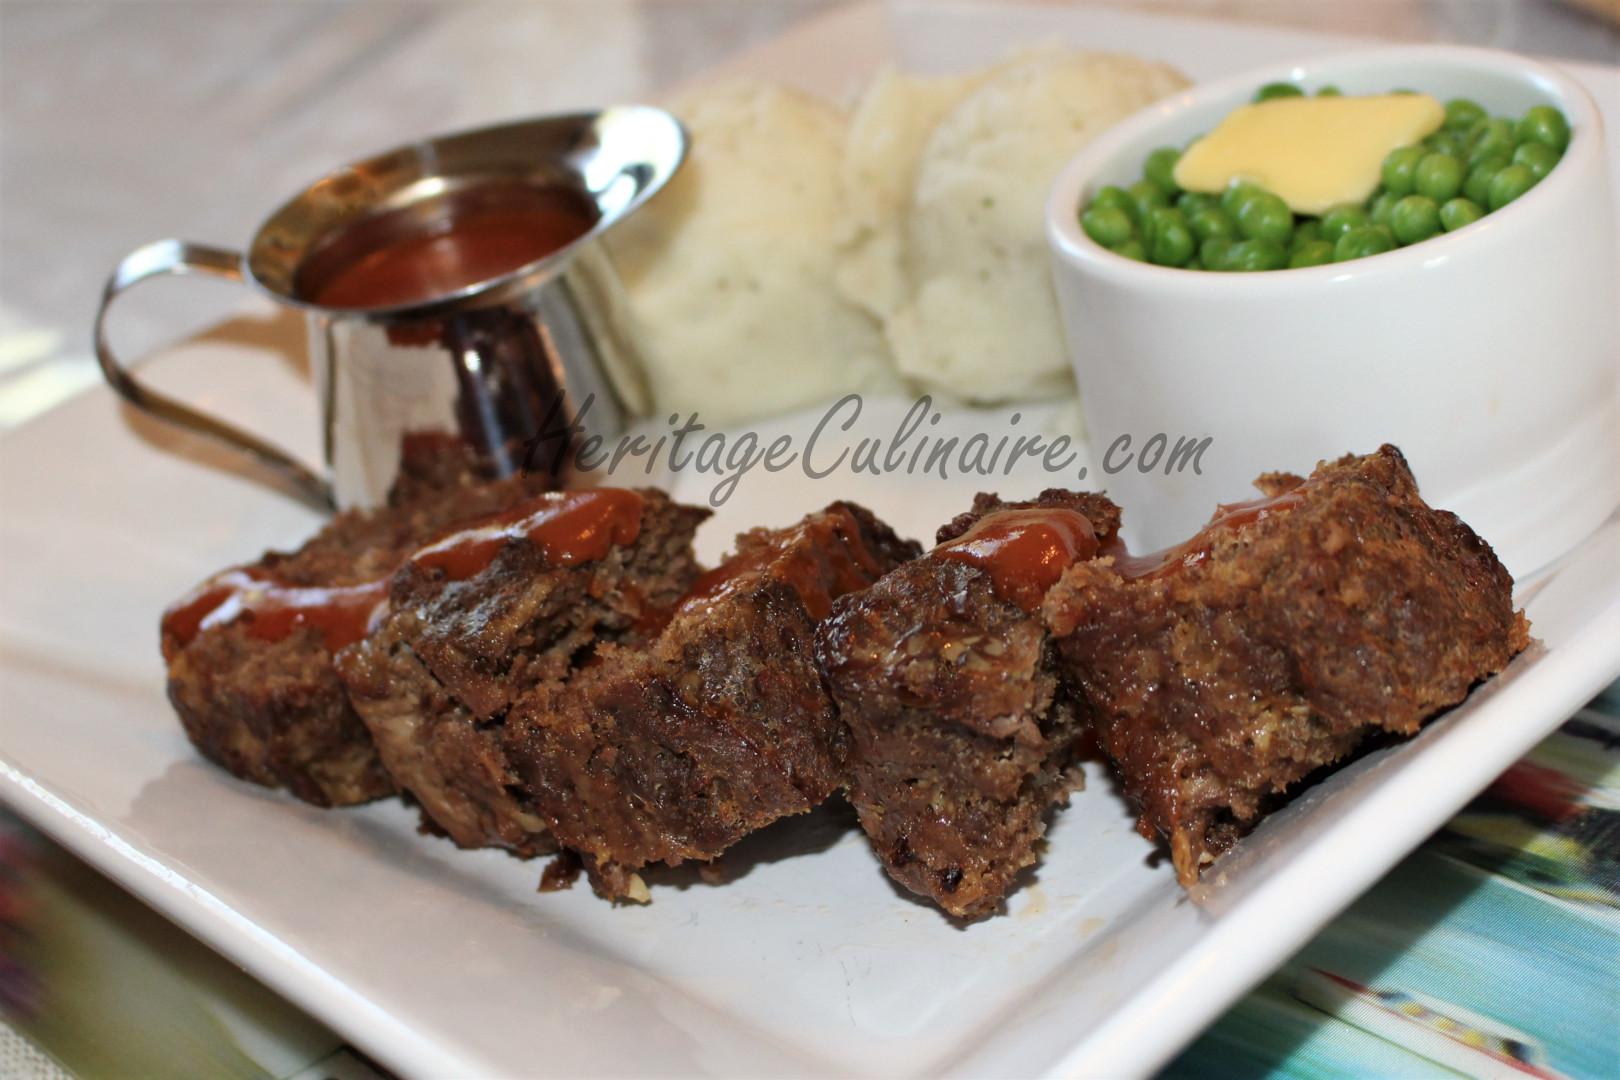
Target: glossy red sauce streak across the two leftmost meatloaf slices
[{"x": 568, "y": 527}]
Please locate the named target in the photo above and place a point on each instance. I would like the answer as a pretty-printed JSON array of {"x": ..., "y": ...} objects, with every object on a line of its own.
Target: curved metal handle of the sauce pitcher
[{"x": 176, "y": 257}]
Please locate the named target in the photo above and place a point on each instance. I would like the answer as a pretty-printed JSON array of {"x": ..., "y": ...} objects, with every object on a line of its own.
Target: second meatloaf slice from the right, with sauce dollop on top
[{"x": 963, "y": 733}]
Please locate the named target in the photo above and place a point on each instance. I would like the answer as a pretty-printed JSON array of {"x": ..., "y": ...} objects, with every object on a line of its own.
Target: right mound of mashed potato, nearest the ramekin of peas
[{"x": 966, "y": 294}]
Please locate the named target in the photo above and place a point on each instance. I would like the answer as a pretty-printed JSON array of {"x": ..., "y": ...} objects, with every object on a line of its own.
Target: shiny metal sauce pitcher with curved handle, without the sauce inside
[{"x": 516, "y": 367}]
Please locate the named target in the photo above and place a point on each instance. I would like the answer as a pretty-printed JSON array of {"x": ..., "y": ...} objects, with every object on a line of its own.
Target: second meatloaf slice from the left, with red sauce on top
[{"x": 461, "y": 644}]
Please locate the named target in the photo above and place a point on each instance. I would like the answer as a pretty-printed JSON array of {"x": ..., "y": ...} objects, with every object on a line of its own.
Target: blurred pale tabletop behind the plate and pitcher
[{"x": 142, "y": 119}]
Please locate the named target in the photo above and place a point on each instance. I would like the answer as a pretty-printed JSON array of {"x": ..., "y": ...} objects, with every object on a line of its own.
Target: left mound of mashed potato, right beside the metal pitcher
[{"x": 730, "y": 271}]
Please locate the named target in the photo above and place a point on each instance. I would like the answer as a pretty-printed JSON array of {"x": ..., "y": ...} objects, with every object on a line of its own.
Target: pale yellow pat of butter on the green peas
[{"x": 1313, "y": 153}]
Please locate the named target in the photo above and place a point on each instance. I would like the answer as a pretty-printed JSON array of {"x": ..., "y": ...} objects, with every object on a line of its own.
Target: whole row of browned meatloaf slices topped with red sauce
[{"x": 626, "y": 710}]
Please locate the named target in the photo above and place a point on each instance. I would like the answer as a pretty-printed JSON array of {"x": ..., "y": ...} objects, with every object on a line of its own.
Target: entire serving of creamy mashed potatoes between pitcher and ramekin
[{"x": 803, "y": 255}]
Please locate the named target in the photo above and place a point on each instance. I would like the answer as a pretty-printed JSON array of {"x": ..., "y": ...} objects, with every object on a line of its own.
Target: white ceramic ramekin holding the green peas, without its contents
[{"x": 1490, "y": 355}]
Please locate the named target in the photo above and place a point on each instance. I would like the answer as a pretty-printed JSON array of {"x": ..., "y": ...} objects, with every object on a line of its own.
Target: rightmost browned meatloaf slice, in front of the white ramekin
[{"x": 1274, "y": 642}]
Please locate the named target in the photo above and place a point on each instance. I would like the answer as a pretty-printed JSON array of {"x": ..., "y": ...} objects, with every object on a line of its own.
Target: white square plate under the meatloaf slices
[{"x": 445, "y": 963}]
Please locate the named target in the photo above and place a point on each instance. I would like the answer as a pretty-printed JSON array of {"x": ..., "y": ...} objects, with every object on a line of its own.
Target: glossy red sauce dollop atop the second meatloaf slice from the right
[{"x": 1025, "y": 551}]
